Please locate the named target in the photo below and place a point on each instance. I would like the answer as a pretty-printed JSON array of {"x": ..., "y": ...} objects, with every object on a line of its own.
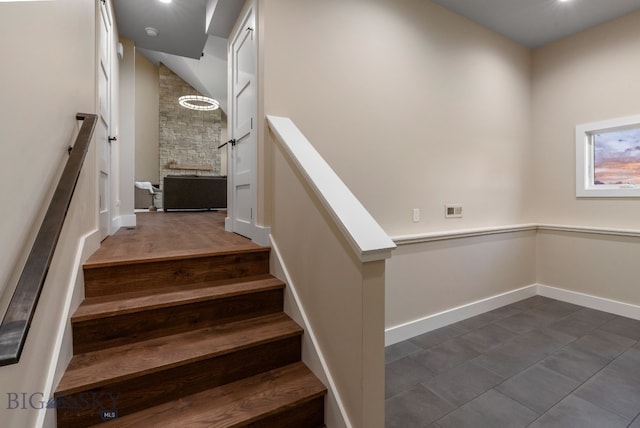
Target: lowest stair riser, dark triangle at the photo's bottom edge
[{"x": 308, "y": 415}]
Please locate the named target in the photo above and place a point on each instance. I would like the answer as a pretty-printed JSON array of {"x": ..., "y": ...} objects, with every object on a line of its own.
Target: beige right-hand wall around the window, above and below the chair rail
[{"x": 589, "y": 77}]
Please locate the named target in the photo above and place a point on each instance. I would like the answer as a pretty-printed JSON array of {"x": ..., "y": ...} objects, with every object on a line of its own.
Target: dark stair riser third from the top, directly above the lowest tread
[{"x": 155, "y": 388}]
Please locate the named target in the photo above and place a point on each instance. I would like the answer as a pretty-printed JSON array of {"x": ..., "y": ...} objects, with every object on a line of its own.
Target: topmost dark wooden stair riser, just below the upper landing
[{"x": 109, "y": 280}]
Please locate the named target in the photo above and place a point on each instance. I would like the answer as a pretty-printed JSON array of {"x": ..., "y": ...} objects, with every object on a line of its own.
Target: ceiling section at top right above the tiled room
[{"x": 534, "y": 23}]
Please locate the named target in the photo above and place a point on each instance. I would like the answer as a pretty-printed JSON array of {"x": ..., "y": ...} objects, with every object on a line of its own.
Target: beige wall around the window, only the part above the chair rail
[{"x": 589, "y": 77}]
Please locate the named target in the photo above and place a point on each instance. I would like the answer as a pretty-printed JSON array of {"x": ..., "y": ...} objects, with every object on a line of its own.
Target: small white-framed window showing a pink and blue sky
[{"x": 608, "y": 158}]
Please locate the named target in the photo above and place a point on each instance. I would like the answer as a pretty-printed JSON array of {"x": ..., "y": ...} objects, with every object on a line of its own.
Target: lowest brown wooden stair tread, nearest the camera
[{"x": 235, "y": 404}]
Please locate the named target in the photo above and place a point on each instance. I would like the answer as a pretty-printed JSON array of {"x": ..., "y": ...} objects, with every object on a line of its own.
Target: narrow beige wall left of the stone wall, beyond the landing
[{"x": 147, "y": 120}]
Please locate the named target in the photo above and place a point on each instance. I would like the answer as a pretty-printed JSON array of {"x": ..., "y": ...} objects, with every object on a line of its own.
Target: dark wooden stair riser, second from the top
[{"x": 101, "y": 333}]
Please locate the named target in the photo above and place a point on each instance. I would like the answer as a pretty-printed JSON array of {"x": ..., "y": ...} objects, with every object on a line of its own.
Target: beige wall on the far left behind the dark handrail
[{"x": 48, "y": 53}]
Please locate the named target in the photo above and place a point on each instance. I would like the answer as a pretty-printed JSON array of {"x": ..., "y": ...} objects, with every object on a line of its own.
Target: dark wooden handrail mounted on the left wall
[{"x": 17, "y": 320}]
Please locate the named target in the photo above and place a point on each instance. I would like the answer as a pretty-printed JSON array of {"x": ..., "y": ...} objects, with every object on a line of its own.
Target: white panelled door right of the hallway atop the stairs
[{"x": 243, "y": 152}]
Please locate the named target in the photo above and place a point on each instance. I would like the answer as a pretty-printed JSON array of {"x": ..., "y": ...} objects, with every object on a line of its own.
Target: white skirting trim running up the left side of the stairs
[{"x": 87, "y": 245}]
